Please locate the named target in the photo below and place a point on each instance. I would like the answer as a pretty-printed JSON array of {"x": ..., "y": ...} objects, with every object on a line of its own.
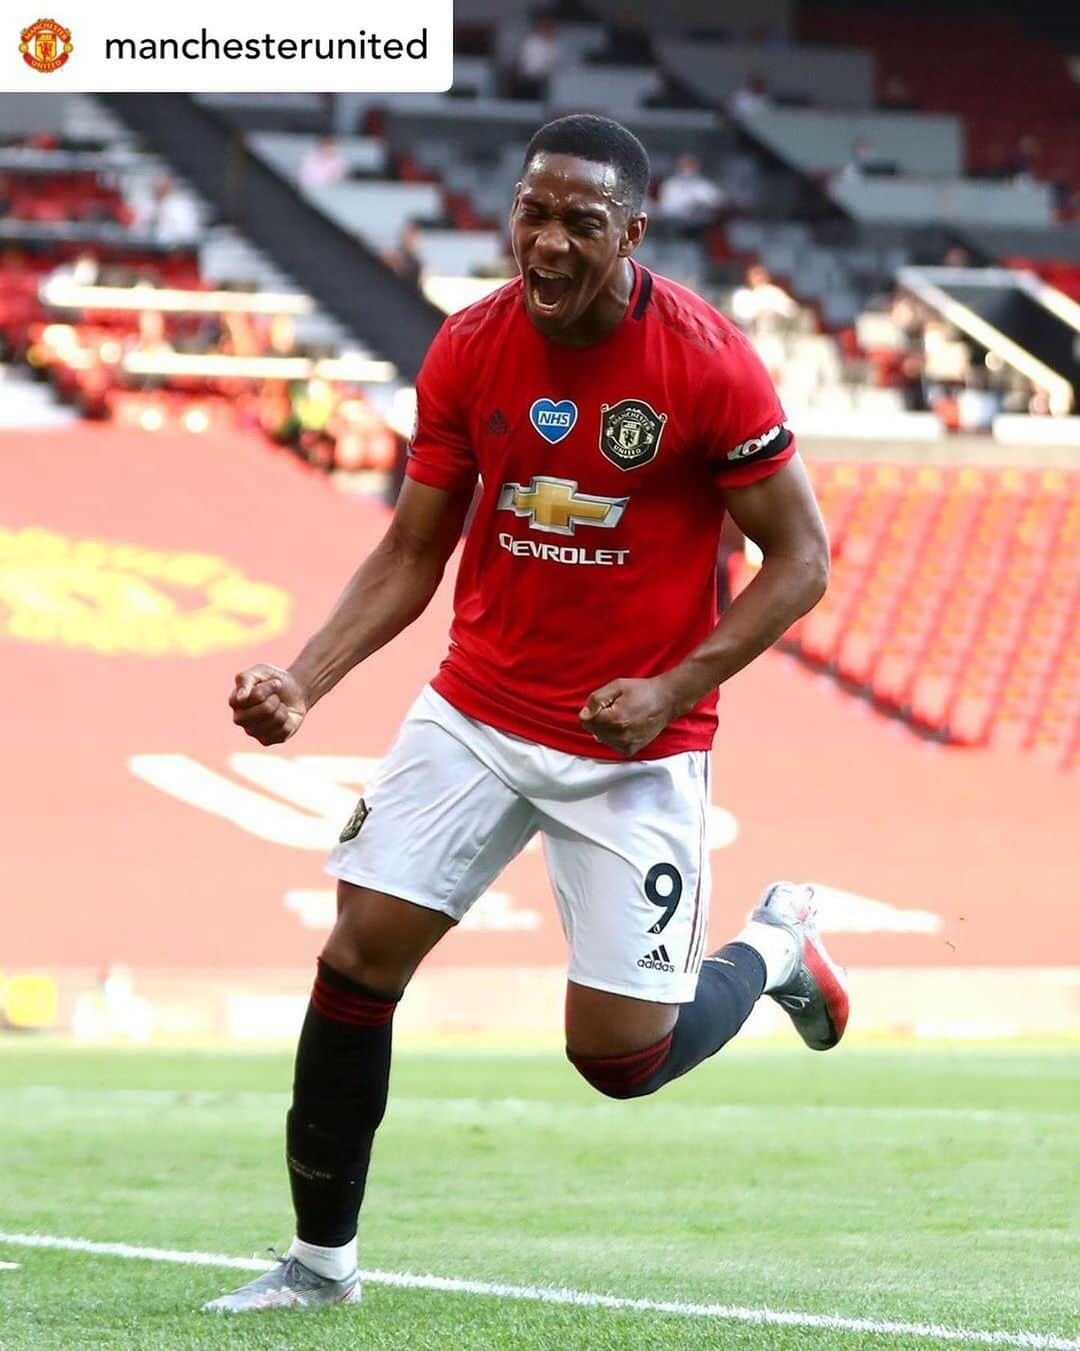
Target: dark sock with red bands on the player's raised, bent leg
[{"x": 729, "y": 987}]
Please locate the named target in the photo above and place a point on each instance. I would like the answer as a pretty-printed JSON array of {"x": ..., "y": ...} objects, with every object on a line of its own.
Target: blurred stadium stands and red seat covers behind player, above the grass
[{"x": 213, "y": 310}]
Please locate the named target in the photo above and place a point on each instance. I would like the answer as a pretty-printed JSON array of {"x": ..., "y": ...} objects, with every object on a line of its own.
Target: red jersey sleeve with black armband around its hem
[{"x": 743, "y": 422}]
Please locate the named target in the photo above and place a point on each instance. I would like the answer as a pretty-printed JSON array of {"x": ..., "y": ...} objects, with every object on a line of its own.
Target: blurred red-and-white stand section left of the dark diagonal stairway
[{"x": 116, "y": 292}]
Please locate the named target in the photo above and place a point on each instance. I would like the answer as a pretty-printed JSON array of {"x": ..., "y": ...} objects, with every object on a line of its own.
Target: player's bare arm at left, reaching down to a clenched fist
[{"x": 389, "y": 591}]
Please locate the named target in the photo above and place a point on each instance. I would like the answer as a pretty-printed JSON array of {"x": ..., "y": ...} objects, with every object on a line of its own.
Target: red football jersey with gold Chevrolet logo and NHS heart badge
[{"x": 593, "y": 551}]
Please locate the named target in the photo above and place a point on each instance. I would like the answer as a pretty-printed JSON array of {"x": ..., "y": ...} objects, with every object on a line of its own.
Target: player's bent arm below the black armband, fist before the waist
[{"x": 782, "y": 517}]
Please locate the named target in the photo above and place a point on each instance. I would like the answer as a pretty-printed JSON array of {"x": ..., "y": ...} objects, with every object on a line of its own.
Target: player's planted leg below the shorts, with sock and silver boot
[{"x": 340, "y": 1095}]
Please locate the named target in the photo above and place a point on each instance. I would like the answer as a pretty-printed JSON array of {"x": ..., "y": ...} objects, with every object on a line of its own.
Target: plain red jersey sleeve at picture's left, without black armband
[{"x": 440, "y": 453}]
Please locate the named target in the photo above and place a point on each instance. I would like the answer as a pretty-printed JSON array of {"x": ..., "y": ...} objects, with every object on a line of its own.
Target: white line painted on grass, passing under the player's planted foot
[{"x": 582, "y": 1299}]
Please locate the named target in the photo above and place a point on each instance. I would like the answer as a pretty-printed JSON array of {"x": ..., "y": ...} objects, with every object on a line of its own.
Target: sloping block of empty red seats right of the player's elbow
[{"x": 955, "y": 601}]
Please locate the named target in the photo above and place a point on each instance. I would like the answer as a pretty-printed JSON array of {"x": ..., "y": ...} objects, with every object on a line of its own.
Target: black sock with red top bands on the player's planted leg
[{"x": 339, "y": 1099}]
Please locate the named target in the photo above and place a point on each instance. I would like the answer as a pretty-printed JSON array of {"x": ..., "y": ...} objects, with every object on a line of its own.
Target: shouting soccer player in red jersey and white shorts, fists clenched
[{"x": 613, "y": 418}]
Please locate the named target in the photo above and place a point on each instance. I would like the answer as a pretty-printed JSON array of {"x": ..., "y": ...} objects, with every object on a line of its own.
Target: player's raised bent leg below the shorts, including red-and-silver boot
[{"x": 629, "y": 1048}]
